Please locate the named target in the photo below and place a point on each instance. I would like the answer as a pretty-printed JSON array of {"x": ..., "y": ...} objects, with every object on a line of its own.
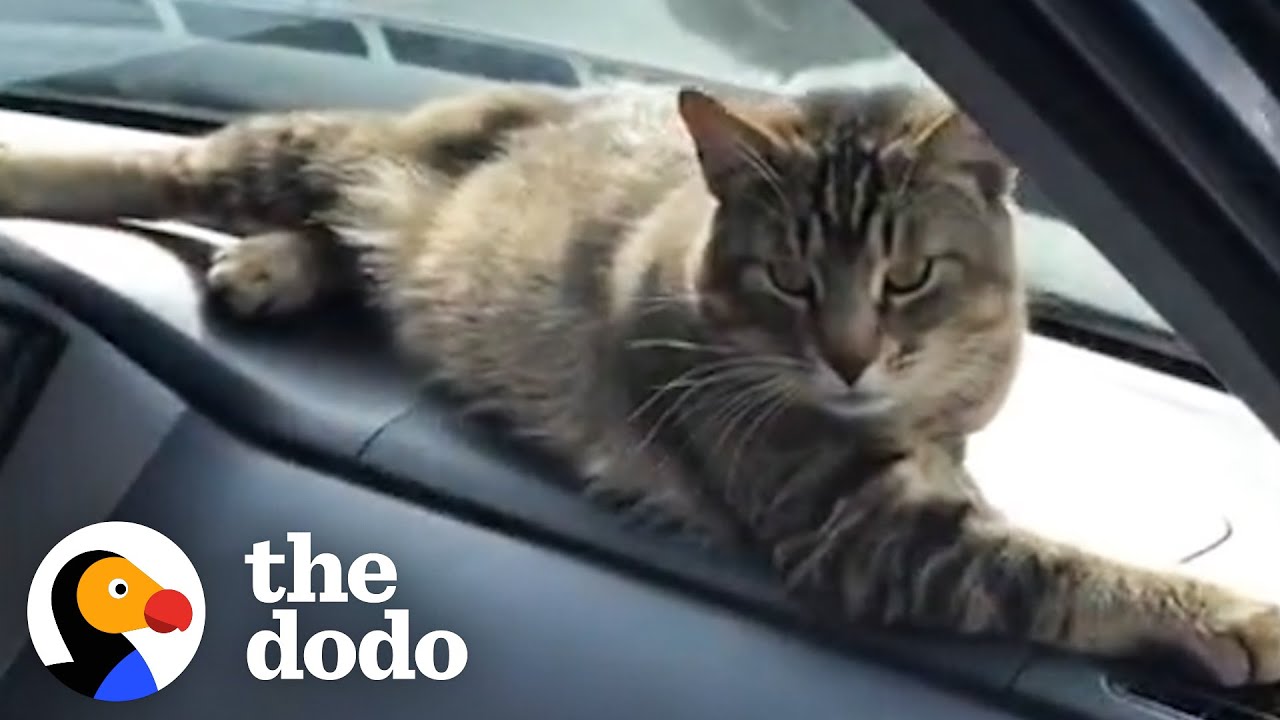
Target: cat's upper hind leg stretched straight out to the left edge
[{"x": 266, "y": 172}]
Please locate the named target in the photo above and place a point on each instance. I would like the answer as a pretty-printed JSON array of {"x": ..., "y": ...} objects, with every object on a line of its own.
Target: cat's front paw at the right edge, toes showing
[{"x": 1238, "y": 642}]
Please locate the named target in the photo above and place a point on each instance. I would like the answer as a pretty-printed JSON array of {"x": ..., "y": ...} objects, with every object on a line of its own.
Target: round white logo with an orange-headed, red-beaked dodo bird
[{"x": 116, "y": 612}]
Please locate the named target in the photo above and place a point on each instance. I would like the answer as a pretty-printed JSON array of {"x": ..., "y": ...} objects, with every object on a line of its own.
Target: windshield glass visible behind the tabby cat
[{"x": 213, "y": 60}]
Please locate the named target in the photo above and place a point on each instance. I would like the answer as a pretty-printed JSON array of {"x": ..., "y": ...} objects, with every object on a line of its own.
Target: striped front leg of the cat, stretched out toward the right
[{"x": 895, "y": 553}]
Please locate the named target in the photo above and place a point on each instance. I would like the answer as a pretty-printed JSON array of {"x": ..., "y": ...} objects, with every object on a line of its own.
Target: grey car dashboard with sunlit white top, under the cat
[{"x": 124, "y": 397}]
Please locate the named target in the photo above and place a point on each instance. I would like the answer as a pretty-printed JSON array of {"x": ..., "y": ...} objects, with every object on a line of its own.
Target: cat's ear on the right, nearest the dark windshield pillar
[{"x": 959, "y": 145}]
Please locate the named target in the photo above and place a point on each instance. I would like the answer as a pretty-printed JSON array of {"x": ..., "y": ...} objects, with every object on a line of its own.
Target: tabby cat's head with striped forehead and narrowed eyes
[{"x": 863, "y": 243}]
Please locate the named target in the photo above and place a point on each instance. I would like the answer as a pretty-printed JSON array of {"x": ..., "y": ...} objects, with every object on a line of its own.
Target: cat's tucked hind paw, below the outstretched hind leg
[{"x": 264, "y": 275}]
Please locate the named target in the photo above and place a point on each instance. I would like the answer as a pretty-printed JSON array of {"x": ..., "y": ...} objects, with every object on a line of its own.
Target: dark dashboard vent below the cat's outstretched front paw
[{"x": 1188, "y": 701}]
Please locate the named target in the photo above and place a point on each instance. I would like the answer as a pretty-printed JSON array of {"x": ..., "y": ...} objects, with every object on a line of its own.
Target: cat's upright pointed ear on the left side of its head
[{"x": 728, "y": 144}]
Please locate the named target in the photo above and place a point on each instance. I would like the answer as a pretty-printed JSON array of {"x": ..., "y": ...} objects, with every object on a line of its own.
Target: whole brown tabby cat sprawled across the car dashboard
[{"x": 771, "y": 321}]
